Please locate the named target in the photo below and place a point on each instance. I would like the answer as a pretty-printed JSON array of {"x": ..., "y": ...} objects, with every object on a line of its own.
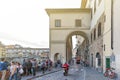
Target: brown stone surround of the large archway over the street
[{"x": 68, "y": 41}]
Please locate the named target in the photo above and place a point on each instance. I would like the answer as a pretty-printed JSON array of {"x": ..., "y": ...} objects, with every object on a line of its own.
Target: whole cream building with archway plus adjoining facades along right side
[{"x": 97, "y": 21}]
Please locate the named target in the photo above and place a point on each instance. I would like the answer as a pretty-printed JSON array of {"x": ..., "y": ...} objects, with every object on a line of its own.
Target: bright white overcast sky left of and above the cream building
[{"x": 26, "y": 22}]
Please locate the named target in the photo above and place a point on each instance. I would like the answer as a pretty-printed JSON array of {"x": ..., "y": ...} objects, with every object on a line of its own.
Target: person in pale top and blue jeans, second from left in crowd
[{"x": 13, "y": 71}]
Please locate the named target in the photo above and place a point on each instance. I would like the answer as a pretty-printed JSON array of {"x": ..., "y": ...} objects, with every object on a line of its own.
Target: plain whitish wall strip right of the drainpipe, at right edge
[{"x": 116, "y": 33}]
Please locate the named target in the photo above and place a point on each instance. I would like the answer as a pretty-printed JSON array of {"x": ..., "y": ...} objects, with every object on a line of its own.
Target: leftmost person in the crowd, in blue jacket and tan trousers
[{"x": 3, "y": 68}]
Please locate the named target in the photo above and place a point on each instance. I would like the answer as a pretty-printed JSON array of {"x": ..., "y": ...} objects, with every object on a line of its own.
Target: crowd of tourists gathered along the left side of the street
[{"x": 15, "y": 71}]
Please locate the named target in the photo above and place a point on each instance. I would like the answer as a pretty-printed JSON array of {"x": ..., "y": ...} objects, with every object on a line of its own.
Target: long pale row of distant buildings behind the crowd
[{"x": 17, "y": 51}]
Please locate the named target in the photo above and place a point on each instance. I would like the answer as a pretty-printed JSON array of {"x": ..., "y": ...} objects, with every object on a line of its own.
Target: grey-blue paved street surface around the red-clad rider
[{"x": 75, "y": 73}]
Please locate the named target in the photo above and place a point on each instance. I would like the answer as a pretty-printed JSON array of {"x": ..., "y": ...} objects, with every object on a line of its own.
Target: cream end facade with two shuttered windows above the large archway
[{"x": 64, "y": 23}]
